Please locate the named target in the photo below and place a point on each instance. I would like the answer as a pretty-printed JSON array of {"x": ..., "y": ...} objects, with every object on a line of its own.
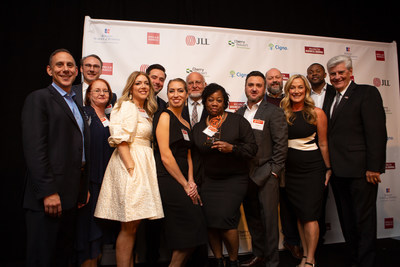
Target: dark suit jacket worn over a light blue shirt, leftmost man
[{"x": 53, "y": 145}]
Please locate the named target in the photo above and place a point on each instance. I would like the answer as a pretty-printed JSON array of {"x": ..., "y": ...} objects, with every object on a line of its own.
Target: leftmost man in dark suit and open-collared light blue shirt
[{"x": 55, "y": 142}]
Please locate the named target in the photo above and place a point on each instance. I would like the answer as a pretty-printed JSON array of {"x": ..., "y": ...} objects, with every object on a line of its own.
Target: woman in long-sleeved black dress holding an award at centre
[{"x": 225, "y": 142}]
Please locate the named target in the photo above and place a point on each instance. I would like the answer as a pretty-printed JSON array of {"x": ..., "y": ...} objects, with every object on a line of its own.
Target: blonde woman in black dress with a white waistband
[{"x": 307, "y": 164}]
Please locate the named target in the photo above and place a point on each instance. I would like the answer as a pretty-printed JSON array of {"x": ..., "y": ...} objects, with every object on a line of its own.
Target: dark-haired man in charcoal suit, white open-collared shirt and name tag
[{"x": 262, "y": 199}]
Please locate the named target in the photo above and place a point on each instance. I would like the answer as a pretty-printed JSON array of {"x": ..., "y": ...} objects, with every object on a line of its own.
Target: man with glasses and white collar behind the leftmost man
[{"x": 91, "y": 69}]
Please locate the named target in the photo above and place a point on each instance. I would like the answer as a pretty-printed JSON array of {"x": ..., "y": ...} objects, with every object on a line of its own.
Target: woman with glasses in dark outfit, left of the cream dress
[{"x": 91, "y": 233}]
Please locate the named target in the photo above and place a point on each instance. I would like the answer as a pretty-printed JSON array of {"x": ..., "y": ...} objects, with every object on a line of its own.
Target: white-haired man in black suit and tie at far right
[{"x": 357, "y": 148}]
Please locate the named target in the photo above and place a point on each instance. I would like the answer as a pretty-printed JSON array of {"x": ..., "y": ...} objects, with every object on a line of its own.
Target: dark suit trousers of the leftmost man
[{"x": 50, "y": 240}]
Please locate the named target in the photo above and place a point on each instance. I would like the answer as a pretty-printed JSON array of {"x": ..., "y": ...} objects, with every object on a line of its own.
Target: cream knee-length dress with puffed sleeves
[{"x": 123, "y": 197}]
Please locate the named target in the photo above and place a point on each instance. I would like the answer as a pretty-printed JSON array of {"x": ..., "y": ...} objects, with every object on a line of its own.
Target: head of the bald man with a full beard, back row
[{"x": 274, "y": 86}]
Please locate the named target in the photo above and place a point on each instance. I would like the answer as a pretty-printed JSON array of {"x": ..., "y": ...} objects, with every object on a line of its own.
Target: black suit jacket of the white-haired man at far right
[{"x": 357, "y": 132}]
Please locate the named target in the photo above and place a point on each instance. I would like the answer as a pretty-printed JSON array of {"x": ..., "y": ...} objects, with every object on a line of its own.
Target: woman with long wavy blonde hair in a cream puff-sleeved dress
[{"x": 129, "y": 192}]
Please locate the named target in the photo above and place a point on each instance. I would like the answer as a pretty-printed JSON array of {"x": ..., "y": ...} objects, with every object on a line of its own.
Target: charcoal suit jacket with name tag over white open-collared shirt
[{"x": 272, "y": 142}]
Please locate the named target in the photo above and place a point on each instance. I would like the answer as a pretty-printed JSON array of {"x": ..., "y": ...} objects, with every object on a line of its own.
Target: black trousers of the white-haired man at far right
[{"x": 356, "y": 205}]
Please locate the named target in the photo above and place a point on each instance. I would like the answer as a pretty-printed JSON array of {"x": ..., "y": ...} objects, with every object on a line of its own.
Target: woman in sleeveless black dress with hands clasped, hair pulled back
[{"x": 184, "y": 222}]
